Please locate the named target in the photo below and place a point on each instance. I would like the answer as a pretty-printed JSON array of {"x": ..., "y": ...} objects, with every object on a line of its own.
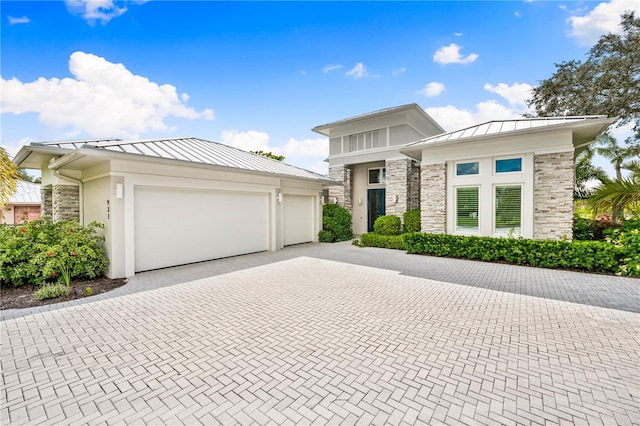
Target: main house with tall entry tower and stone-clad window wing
[{"x": 509, "y": 177}]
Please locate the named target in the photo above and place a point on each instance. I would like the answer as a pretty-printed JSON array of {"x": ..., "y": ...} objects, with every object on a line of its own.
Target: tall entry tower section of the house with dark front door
[{"x": 364, "y": 154}]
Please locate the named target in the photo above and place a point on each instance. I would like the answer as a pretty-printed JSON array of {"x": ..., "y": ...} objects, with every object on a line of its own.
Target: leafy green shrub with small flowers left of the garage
[{"x": 42, "y": 251}]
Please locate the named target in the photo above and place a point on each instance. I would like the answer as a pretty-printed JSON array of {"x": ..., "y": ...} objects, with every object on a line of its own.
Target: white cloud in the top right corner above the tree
[{"x": 603, "y": 19}]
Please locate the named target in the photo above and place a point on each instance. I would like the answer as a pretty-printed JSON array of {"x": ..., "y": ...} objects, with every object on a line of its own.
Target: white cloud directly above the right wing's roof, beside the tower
[{"x": 453, "y": 118}]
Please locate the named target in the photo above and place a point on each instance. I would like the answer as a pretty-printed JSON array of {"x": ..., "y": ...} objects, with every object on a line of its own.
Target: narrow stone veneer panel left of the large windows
[{"x": 433, "y": 197}]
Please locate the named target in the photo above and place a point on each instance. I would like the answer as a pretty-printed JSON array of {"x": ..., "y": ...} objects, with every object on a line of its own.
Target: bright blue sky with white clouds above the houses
[{"x": 260, "y": 75}]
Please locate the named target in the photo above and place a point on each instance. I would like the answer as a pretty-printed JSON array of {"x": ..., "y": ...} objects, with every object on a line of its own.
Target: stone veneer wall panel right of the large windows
[{"x": 554, "y": 177}]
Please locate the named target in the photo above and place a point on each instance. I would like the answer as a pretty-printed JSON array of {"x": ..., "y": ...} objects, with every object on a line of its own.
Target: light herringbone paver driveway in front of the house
[{"x": 331, "y": 334}]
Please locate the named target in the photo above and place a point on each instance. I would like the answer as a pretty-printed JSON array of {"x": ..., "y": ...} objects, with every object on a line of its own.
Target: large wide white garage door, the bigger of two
[{"x": 178, "y": 226}]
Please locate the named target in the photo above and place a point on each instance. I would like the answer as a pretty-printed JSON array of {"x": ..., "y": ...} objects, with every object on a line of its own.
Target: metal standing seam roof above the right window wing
[{"x": 497, "y": 127}]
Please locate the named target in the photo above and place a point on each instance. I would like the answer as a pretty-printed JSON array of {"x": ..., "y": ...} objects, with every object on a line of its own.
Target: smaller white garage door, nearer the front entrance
[{"x": 298, "y": 219}]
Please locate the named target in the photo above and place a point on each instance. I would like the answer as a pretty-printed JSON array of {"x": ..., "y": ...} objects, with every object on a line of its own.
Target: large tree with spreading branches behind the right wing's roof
[{"x": 608, "y": 82}]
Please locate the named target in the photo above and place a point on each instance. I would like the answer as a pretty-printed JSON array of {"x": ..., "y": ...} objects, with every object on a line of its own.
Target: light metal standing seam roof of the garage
[{"x": 193, "y": 150}]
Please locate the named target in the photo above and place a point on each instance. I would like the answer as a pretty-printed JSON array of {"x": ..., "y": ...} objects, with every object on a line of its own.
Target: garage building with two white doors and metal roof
[{"x": 169, "y": 202}]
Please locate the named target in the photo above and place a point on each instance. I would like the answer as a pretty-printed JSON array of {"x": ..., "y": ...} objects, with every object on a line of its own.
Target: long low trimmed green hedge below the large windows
[{"x": 596, "y": 256}]
